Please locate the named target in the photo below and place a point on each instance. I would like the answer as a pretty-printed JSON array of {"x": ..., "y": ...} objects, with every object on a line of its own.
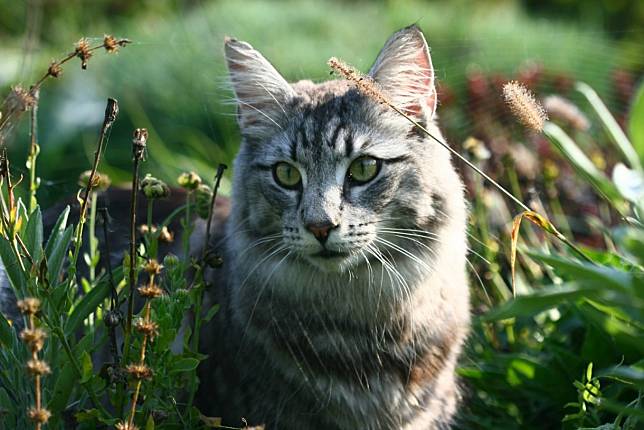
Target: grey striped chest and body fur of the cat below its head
[{"x": 294, "y": 348}]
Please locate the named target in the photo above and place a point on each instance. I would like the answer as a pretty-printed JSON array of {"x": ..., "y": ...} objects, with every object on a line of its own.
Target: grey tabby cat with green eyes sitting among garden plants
[{"x": 344, "y": 296}]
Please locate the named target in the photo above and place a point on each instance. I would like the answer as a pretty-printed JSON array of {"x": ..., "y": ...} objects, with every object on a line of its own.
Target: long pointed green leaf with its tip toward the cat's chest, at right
[{"x": 539, "y": 301}]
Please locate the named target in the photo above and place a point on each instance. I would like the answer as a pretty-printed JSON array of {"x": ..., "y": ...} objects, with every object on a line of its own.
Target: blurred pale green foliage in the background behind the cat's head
[{"x": 172, "y": 79}]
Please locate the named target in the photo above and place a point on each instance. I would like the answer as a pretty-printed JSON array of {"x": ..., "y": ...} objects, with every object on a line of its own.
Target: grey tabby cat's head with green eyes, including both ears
[{"x": 327, "y": 174}]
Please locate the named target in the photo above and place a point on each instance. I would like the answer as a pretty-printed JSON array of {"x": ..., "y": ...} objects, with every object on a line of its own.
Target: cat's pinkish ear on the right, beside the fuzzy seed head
[{"x": 404, "y": 70}]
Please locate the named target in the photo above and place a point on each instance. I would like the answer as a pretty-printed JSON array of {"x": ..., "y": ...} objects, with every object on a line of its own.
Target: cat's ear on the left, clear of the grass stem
[{"x": 261, "y": 92}]
